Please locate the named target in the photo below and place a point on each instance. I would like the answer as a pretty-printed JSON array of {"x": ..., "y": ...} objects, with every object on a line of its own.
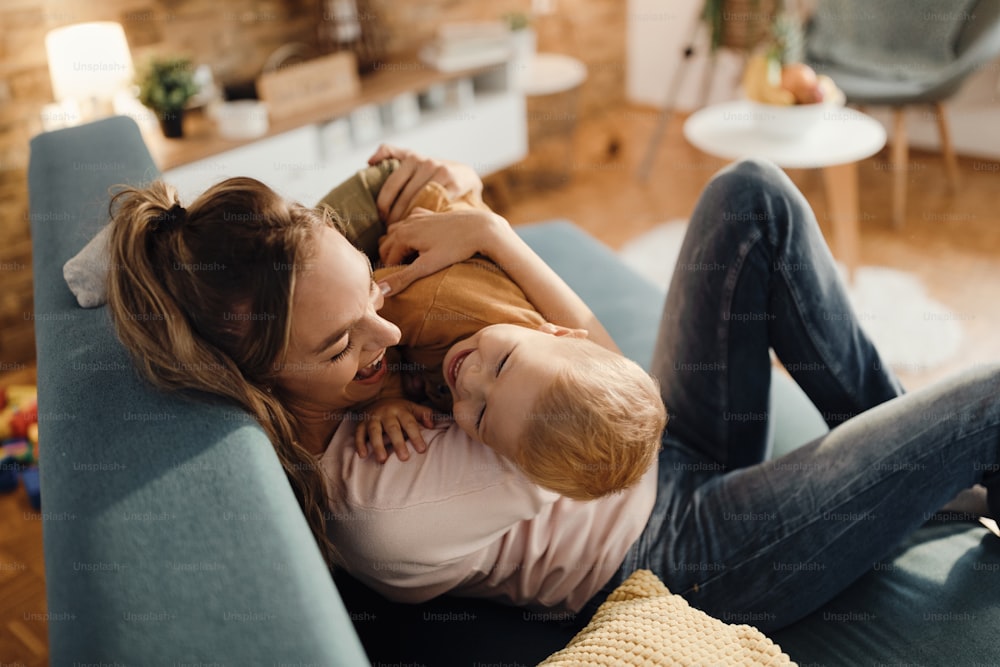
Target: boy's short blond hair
[{"x": 596, "y": 428}]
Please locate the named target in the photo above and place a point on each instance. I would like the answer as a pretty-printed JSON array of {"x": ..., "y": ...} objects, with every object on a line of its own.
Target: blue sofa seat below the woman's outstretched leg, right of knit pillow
[{"x": 935, "y": 601}]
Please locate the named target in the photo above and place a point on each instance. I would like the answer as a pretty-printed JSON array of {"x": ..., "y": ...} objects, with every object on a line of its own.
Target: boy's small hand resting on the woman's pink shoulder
[{"x": 397, "y": 418}]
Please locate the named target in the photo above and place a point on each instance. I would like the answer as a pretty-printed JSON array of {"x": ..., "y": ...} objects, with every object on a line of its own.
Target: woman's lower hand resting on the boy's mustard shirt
[{"x": 439, "y": 240}]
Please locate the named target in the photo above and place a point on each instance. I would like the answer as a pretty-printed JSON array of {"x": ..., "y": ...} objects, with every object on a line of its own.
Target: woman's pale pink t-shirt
[{"x": 461, "y": 519}]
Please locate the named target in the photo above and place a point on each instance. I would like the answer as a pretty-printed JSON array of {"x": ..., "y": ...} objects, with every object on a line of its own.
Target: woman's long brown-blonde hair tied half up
[{"x": 176, "y": 274}]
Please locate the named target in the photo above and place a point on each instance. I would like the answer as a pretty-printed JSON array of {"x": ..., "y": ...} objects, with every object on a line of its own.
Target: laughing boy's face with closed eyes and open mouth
[{"x": 496, "y": 376}]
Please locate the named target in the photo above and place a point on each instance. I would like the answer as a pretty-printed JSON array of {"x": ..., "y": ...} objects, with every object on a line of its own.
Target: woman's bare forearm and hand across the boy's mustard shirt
[{"x": 443, "y": 239}]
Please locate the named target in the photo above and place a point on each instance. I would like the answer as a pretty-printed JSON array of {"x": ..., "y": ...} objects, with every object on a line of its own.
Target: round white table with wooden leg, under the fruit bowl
[{"x": 835, "y": 144}]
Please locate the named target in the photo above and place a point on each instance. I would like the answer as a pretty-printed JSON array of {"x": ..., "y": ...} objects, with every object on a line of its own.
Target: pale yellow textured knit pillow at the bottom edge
[{"x": 643, "y": 623}]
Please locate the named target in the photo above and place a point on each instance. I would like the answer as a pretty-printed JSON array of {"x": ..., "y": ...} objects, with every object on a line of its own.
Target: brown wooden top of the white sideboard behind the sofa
[{"x": 391, "y": 79}]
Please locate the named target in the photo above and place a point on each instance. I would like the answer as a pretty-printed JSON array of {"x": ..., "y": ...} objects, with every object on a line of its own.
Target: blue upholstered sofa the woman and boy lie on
[{"x": 171, "y": 535}]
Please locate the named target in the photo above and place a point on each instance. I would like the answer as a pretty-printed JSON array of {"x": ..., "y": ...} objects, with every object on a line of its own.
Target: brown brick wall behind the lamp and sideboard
[{"x": 235, "y": 37}]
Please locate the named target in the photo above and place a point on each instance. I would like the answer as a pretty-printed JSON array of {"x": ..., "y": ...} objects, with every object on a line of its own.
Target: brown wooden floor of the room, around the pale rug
[{"x": 950, "y": 240}]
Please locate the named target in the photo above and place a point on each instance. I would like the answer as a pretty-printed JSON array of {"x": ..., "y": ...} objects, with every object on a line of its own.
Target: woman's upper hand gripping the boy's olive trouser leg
[{"x": 414, "y": 172}]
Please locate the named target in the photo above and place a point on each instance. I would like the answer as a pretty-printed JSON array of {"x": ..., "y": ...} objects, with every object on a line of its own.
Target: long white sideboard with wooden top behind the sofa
[{"x": 476, "y": 117}]
